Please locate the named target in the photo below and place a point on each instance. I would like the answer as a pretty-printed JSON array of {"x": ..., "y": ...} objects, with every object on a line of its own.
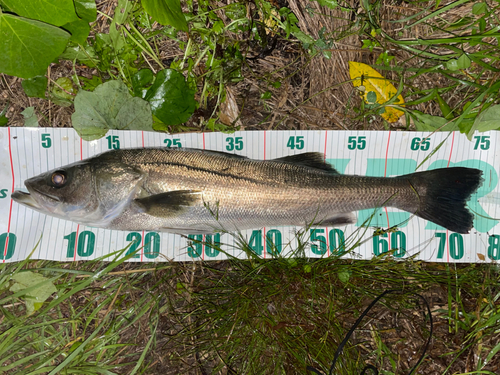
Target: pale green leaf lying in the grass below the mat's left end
[{"x": 35, "y": 297}]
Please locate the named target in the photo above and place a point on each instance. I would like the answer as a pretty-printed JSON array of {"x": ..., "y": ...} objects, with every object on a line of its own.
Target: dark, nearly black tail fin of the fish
[{"x": 443, "y": 195}]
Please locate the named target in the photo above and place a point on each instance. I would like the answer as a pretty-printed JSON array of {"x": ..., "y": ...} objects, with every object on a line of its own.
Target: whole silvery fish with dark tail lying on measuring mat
[{"x": 192, "y": 191}]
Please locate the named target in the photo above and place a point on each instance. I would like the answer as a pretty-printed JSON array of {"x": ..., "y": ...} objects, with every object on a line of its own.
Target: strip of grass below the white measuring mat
[{"x": 253, "y": 317}]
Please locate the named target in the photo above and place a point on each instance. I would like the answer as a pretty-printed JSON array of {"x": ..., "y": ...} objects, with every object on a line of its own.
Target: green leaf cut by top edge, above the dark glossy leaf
[{"x": 166, "y": 12}]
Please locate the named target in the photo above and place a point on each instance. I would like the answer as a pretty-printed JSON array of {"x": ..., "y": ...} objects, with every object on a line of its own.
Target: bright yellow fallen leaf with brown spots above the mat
[{"x": 375, "y": 89}]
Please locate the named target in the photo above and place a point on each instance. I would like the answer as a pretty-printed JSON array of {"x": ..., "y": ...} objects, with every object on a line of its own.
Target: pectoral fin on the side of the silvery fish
[{"x": 168, "y": 204}]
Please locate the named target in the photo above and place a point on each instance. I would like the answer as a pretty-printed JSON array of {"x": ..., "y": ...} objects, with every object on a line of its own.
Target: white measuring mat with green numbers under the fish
[{"x": 27, "y": 152}]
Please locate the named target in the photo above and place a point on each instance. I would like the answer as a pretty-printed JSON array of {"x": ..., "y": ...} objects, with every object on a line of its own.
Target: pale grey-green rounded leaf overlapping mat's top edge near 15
[{"x": 110, "y": 106}]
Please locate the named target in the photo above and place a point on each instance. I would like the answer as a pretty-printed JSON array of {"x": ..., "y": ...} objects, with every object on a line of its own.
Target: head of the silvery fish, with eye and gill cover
[{"x": 88, "y": 192}]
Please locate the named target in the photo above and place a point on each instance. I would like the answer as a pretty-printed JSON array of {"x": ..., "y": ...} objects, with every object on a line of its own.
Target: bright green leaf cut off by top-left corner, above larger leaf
[{"x": 55, "y": 12}]
